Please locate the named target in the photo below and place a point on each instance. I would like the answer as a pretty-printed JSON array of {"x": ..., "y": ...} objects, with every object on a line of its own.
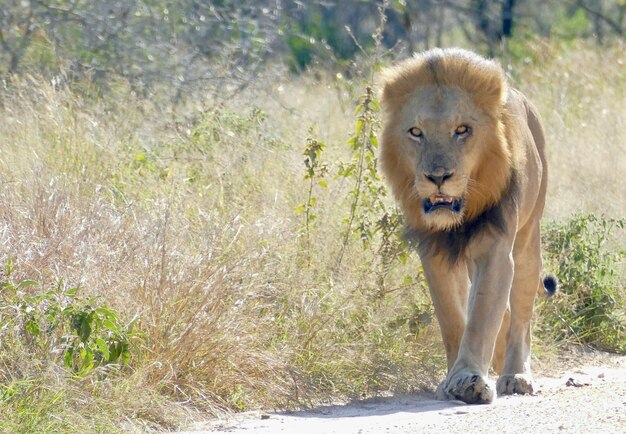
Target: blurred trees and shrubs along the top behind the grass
[{"x": 187, "y": 45}]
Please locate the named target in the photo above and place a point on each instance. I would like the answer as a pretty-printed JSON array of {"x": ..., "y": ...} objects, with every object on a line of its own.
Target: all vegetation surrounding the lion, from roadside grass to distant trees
[{"x": 192, "y": 221}]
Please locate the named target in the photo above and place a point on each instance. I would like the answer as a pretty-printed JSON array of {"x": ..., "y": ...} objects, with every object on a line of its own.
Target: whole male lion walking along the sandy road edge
[{"x": 465, "y": 157}]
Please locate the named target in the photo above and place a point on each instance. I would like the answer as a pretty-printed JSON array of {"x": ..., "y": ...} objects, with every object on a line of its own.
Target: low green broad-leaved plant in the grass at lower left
[{"x": 58, "y": 321}]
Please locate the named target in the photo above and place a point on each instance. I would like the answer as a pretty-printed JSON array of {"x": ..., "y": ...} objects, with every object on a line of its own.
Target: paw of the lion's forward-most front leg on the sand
[{"x": 467, "y": 387}]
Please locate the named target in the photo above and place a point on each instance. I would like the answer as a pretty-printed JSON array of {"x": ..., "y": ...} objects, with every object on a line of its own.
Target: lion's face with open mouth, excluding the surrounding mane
[{"x": 439, "y": 131}]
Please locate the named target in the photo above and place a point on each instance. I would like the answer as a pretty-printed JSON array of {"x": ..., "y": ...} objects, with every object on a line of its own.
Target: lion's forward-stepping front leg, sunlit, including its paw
[{"x": 468, "y": 380}]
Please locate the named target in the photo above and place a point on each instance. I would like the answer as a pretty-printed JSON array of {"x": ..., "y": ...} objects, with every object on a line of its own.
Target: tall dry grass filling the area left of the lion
[{"x": 192, "y": 231}]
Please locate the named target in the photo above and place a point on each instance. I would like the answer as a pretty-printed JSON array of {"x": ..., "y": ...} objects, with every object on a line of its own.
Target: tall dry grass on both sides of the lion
[{"x": 189, "y": 223}]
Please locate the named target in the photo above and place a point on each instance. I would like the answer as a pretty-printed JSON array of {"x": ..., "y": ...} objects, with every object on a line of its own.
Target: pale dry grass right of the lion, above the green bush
[{"x": 581, "y": 94}]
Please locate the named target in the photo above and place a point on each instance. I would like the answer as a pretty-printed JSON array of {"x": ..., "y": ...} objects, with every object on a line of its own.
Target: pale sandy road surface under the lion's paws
[{"x": 586, "y": 393}]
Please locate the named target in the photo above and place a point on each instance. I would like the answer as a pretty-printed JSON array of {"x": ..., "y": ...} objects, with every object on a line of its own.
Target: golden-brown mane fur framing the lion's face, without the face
[{"x": 481, "y": 78}]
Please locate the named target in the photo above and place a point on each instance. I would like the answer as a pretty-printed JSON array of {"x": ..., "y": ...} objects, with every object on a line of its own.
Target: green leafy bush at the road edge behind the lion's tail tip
[{"x": 590, "y": 308}]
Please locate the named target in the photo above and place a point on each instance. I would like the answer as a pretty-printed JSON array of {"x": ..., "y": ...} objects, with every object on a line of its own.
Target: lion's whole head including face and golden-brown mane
[{"x": 444, "y": 145}]
